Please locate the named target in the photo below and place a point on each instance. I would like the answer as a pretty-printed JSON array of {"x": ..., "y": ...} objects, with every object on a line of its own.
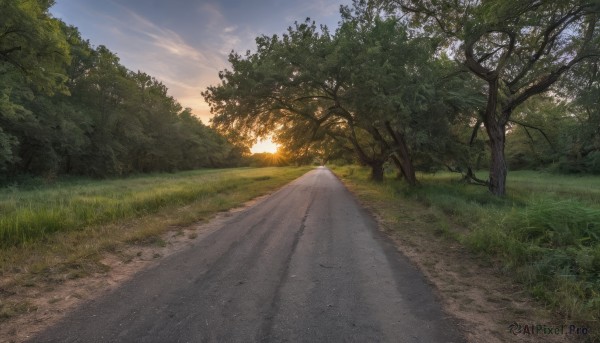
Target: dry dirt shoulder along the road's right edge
[{"x": 473, "y": 290}]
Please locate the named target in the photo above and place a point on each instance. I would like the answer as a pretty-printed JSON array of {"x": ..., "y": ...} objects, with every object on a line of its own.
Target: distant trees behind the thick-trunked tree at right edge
[{"x": 561, "y": 131}]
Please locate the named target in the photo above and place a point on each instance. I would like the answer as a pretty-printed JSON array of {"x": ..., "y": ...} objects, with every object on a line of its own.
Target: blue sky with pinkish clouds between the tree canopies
[{"x": 184, "y": 43}]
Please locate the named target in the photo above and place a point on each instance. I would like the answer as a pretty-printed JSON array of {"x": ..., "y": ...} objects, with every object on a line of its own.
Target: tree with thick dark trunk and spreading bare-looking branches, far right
[{"x": 519, "y": 48}]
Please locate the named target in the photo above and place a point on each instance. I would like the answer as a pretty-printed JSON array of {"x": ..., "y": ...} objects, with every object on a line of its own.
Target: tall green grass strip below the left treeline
[{"x": 33, "y": 212}]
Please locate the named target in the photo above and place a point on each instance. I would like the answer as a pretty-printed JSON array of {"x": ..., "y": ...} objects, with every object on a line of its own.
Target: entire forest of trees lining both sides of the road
[{"x": 416, "y": 86}]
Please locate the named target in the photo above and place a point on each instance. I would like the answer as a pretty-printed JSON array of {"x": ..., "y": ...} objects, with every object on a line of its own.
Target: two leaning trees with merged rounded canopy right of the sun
[{"x": 367, "y": 87}]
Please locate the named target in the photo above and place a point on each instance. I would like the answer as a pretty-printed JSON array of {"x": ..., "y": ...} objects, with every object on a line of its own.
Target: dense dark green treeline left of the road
[{"x": 67, "y": 107}]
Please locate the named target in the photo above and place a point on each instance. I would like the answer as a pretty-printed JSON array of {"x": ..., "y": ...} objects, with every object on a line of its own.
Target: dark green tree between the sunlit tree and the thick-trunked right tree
[{"x": 410, "y": 95}]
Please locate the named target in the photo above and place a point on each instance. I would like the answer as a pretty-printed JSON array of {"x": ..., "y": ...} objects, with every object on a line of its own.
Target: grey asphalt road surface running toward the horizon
[{"x": 307, "y": 264}]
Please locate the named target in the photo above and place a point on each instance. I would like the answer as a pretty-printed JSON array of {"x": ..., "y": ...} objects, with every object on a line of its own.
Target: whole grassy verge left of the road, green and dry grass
[{"x": 50, "y": 234}]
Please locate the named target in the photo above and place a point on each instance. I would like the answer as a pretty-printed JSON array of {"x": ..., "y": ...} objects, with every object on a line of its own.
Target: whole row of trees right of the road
[{"x": 427, "y": 85}]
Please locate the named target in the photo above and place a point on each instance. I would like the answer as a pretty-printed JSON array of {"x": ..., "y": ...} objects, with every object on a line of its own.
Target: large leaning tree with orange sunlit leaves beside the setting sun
[{"x": 295, "y": 83}]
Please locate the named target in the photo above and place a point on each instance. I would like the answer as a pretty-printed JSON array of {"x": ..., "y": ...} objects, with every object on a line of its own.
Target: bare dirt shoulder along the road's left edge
[{"x": 33, "y": 307}]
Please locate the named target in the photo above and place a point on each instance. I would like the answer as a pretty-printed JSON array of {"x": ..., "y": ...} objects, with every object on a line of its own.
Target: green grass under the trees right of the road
[{"x": 545, "y": 234}]
